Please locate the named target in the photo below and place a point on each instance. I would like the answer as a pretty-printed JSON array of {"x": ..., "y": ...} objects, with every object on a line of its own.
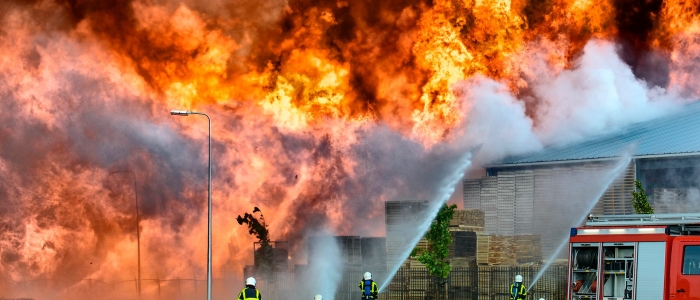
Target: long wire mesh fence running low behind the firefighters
[{"x": 468, "y": 283}]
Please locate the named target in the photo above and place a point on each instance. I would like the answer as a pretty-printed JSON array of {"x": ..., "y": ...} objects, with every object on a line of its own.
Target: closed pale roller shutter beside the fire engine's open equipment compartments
[{"x": 650, "y": 270}]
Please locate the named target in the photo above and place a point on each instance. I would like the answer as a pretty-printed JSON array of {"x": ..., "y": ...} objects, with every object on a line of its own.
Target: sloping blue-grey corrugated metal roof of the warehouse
[{"x": 672, "y": 134}]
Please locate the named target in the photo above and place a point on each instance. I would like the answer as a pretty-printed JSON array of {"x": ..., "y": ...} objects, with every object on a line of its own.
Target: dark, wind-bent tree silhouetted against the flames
[{"x": 263, "y": 259}]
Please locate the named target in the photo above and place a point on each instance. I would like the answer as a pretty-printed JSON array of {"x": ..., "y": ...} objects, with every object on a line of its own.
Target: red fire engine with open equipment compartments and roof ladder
[{"x": 642, "y": 257}]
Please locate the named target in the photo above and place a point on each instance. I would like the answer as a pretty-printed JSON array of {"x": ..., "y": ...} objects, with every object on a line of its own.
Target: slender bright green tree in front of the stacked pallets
[{"x": 439, "y": 240}]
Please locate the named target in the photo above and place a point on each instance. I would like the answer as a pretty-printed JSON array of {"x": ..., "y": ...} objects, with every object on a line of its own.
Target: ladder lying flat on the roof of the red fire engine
[{"x": 677, "y": 223}]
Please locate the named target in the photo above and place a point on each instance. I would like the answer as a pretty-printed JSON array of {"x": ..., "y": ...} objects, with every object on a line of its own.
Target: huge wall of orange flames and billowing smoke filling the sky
[{"x": 321, "y": 111}]
